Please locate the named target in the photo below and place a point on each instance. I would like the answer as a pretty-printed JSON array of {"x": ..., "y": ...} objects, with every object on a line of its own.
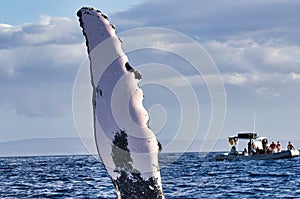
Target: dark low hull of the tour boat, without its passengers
[{"x": 270, "y": 156}]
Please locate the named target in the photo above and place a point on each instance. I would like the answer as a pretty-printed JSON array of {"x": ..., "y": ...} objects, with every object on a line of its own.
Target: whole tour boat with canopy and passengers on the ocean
[{"x": 258, "y": 149}]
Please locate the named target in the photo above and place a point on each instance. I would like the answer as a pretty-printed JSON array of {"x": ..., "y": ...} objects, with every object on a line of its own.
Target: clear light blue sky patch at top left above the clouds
[{"x": 16, "y": 12}]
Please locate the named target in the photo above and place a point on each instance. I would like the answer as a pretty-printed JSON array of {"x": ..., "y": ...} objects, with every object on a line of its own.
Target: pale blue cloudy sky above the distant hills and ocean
[{"x": 255, "y": 46}]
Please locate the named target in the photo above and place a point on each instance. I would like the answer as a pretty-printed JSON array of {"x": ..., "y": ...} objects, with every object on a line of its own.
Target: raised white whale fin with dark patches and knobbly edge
[{"x": 129, "y": 159}]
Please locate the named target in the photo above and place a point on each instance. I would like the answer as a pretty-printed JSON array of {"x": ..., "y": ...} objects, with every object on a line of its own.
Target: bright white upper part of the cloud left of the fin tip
[{"x": 48, "y": 30}]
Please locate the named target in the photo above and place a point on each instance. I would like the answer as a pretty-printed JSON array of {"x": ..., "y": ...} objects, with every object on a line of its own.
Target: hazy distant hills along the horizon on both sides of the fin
[{"x": 75, "y": 146}]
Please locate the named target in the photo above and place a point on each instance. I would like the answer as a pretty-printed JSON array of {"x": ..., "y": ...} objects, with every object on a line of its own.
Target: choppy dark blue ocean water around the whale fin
[{"x": 191, "y": 176}]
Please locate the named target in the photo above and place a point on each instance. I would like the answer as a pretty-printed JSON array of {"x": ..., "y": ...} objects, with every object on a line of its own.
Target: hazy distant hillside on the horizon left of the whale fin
[{"x": 44, "y": 146}]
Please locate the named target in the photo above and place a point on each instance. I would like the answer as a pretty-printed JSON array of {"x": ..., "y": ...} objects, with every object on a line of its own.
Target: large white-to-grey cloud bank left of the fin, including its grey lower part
[{"x": 38, "y": 64}]
